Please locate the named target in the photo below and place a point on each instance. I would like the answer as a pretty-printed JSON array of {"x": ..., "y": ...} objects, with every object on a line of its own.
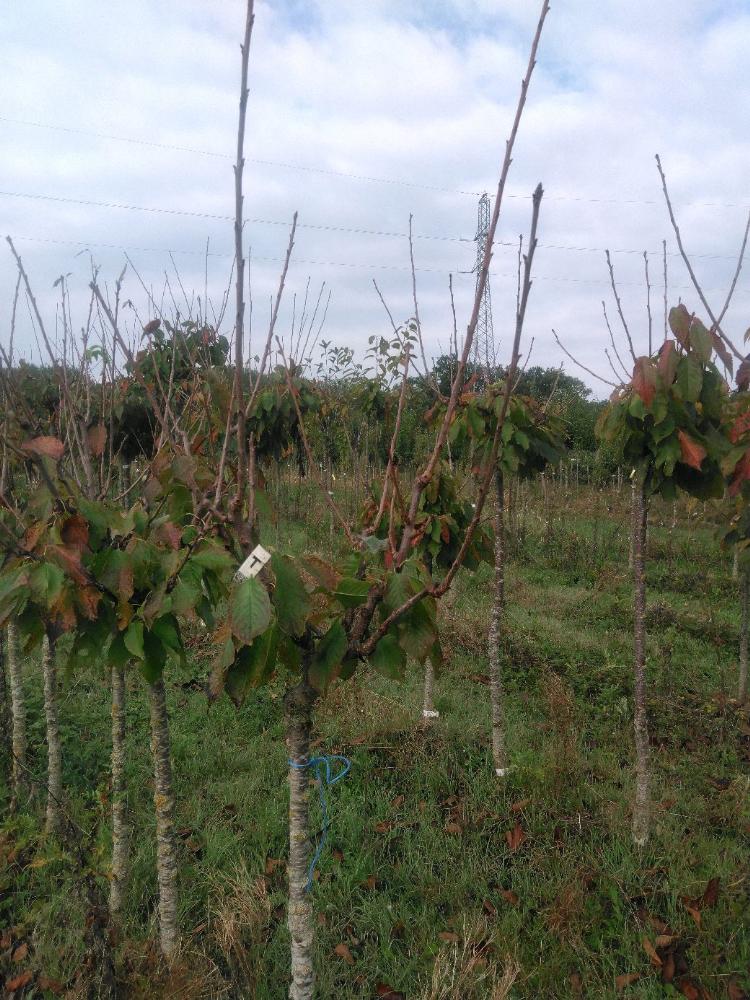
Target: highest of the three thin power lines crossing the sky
[{"x": 395, "y": 181}]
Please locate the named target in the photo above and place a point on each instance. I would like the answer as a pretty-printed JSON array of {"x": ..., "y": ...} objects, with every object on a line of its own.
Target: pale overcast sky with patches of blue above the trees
[{"x": 417, "y": 96}]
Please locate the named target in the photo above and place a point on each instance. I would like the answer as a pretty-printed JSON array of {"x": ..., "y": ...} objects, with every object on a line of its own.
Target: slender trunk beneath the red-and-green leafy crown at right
[{"x": 642, "y": 806}]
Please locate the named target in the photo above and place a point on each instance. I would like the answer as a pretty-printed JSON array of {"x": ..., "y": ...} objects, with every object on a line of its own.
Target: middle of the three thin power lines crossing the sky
[{"x": 323, "y": 227}]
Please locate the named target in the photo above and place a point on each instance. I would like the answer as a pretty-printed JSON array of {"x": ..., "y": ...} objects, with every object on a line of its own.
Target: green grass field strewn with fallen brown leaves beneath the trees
[{"x": 438, "y": 880}]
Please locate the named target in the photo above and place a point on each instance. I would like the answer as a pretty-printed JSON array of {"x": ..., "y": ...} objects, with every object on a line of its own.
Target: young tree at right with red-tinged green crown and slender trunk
[{"x": 668, "y": 424}]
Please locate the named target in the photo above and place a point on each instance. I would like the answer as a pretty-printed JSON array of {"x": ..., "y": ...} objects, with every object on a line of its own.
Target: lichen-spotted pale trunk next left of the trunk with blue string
[{"x": 166, "y": 848}]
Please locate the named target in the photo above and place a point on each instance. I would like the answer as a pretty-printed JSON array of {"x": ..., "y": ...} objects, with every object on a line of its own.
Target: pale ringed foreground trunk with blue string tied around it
[{"x": 298, "y": 707}]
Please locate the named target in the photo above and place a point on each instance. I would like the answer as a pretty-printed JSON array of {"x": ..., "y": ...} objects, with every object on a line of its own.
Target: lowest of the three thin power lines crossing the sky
[{"x": 356, "y": 265}]
